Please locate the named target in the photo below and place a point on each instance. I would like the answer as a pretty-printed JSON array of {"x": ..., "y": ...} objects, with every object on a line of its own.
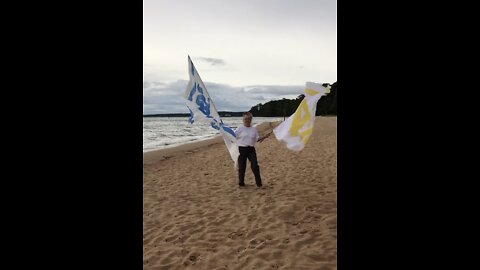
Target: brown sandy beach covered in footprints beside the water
[{"x": 196, "y": 217}]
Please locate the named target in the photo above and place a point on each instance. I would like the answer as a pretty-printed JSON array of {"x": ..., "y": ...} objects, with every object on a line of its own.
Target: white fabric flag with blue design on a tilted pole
[{"x": 202, "y": 109}]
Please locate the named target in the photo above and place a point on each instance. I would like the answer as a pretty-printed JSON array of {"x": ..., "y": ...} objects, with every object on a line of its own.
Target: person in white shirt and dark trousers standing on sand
[{"x": 247, "y": 136}]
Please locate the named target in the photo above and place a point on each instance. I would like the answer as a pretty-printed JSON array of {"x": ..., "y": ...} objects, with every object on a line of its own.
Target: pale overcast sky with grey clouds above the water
[{"x": 246, "y": 52}]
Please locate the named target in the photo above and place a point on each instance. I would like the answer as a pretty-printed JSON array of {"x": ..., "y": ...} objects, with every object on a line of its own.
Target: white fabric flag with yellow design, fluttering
[{"x": 296, "y": 130}]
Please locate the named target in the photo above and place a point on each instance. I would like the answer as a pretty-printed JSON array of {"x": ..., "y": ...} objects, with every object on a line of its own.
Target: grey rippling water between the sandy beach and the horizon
[{"x": 165, "y": 132}]
